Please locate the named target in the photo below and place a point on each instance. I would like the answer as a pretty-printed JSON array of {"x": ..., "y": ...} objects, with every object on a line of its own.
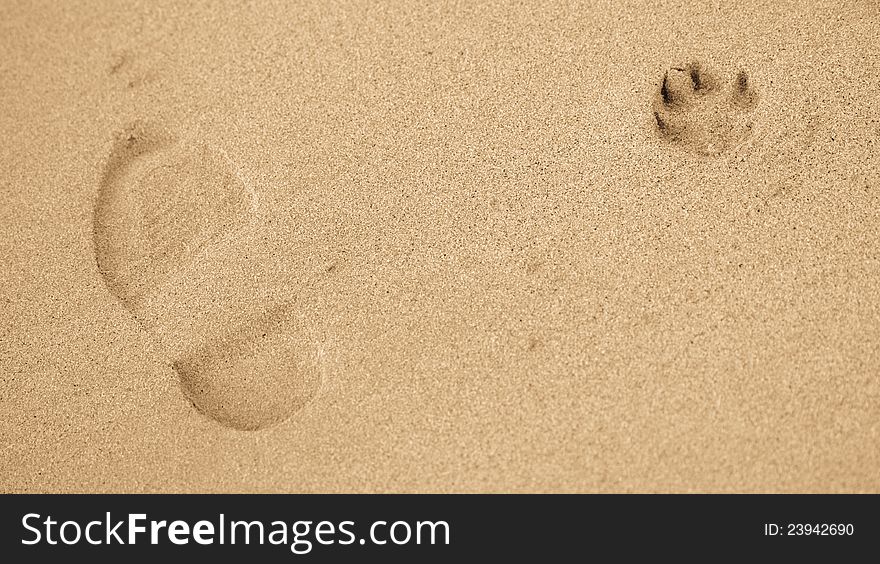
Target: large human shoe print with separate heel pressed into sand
[{"x": 162, "y": 204}]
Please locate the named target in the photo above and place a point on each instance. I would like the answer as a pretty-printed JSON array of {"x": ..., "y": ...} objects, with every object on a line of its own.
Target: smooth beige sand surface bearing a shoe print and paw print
[{"x": 440, "y": 247}]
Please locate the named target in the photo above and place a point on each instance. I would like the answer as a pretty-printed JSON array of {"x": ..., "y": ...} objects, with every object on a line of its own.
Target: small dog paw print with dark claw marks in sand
[{"x": 694, "y": 110}]
